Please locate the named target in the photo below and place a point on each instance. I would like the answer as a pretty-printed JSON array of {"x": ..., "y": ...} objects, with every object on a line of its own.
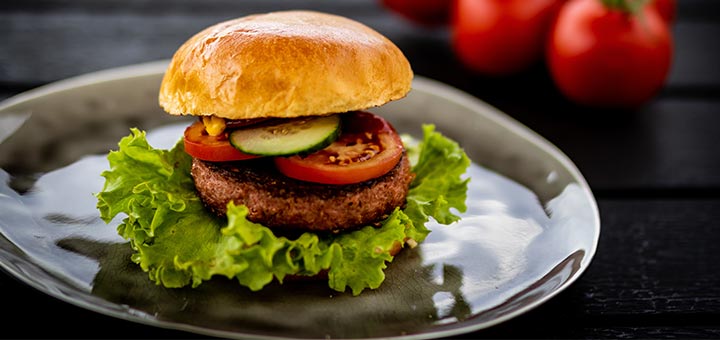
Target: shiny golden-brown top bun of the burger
[{"x": 284, "y": 64}]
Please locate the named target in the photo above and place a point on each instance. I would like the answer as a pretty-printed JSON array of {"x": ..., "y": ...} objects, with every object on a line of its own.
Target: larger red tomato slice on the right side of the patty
[{"x": 368, "y": 148}]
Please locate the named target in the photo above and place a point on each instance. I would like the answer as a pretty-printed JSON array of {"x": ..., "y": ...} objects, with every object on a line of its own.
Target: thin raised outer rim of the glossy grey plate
[{"x": 446, "y": 91}]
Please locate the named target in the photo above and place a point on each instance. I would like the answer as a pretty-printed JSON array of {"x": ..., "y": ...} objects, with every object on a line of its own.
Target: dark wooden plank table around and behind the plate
[{"x": 655, "y": 172}]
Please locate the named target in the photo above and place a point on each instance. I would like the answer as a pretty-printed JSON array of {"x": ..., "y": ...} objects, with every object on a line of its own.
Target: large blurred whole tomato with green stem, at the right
[{"x": 608, "y": 58}]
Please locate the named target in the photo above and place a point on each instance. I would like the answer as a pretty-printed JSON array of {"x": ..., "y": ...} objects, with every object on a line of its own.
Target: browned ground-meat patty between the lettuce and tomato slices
[{"x": 277, "y": 201}]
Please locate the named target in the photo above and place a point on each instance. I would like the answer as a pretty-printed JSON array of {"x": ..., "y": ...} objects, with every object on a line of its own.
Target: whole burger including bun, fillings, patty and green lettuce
[{"x": 283, "y": 173}]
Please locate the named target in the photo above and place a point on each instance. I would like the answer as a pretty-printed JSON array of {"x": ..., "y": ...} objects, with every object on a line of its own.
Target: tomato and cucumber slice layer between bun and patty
[{"x": 337, "y": 149}]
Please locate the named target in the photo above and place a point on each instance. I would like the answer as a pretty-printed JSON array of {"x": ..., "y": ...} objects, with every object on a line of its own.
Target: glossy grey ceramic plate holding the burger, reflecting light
[{"x": 531, "y": 228}]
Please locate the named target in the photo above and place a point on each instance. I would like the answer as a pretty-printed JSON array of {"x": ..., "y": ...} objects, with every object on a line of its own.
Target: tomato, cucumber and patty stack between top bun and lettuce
[{"x": 329, "y": 173}]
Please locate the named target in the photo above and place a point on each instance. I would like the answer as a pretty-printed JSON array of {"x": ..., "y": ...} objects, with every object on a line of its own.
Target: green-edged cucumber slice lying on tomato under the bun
[{"x": 297, "y": 135}]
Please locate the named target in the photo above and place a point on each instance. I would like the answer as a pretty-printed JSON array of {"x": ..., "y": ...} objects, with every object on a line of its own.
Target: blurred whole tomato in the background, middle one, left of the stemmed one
[{"x": 501, "y": 37}]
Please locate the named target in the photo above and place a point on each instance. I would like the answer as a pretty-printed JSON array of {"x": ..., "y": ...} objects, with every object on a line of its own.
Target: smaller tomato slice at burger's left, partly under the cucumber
[{"x": 215, "y": 149}]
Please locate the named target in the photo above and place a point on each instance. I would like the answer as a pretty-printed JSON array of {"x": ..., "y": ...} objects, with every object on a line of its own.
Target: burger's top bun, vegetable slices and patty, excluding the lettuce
[{"x": 281, "y": 129}]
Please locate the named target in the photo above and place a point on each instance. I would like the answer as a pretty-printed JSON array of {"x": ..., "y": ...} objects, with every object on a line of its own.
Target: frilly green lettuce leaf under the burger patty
[{"x": 178, "y": 243}]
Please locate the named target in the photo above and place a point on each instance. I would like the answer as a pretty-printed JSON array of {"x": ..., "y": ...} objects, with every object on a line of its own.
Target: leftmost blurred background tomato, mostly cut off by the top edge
[{"x": 423, "y": 12}]
